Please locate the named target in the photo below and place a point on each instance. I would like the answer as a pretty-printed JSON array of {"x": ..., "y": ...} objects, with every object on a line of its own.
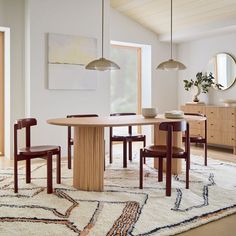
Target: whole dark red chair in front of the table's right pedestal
[{"x": 169, "y": 152}]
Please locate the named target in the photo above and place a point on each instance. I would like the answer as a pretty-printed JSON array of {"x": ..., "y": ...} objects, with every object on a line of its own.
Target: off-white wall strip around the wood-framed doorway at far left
[{"x": 12, "y": 16}]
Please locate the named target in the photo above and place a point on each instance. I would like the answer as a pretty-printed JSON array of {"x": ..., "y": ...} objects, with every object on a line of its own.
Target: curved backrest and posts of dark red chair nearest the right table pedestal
[{"x": 175, "y": 126}]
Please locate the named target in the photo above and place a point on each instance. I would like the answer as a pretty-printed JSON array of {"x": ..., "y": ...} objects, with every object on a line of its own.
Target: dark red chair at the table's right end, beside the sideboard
[{"x": 201, "y": 138}]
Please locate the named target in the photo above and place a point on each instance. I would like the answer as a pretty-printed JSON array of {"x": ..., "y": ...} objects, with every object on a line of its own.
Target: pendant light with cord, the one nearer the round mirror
[{"x": 171, "y": 64}]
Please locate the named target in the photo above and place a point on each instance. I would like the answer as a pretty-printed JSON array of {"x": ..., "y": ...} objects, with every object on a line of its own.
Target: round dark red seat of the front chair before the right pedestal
[{"x": 161, "y": 150}]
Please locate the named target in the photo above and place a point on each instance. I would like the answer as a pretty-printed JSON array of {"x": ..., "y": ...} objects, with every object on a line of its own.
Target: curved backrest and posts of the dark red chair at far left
[{"x": 20, "y": 124}]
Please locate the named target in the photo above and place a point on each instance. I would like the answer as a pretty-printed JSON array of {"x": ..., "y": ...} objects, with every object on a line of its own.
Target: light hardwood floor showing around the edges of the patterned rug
[{"x": 225, "y": 226}]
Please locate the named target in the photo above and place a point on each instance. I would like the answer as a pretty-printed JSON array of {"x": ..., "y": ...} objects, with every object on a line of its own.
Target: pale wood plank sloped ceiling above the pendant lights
[{"x": 188, "y": 15}]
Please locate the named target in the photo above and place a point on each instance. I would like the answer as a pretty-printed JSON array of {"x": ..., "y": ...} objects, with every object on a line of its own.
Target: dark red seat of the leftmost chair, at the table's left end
[{"x": 39, "y": 150}]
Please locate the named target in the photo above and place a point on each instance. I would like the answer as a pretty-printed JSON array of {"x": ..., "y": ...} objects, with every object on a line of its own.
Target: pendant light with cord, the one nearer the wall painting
[{"x": 102, "y": 63}]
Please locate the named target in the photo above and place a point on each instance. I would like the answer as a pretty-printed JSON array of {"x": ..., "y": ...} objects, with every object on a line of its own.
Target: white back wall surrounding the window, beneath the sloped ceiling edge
[{"x": 124, "y": 29}]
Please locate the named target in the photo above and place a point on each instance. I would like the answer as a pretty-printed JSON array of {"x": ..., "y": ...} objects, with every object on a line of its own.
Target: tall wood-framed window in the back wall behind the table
[{"x": 126, "y": 82}]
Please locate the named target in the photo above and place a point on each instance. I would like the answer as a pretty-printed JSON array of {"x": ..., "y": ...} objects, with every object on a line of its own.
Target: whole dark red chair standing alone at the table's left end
[{"x": 30, "y": 152}]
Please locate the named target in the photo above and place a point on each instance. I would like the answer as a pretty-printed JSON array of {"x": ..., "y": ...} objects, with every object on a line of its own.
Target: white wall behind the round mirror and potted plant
[{"x": 196, "y": 54}]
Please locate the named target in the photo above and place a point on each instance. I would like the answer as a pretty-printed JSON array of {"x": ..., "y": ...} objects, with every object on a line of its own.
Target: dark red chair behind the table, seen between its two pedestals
[{"x": 126, "y": 138}]
